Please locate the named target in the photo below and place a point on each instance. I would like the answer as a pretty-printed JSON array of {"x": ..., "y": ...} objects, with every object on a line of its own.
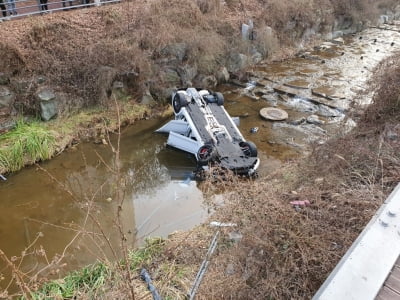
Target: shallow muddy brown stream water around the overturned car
[{"x": 37, "y": 207}]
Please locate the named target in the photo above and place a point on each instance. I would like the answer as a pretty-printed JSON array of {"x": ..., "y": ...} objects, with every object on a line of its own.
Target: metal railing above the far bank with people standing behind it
[{"x": 11, "y": 9}]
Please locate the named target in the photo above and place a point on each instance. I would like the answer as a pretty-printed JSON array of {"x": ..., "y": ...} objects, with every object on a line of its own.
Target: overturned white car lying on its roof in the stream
[{"x": 204, "y": 128}]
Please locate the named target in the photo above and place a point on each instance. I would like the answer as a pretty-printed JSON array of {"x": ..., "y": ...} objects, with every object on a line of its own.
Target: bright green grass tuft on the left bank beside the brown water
[{"x": 26, "y": 143}]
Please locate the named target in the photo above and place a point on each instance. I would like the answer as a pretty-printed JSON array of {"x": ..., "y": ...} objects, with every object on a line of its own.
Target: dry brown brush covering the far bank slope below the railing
[{"x": 78, "y": 51}]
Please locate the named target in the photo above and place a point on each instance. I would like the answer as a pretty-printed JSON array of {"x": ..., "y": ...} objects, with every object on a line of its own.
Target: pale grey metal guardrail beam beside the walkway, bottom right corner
[{"x": 364, "y": 268}]
